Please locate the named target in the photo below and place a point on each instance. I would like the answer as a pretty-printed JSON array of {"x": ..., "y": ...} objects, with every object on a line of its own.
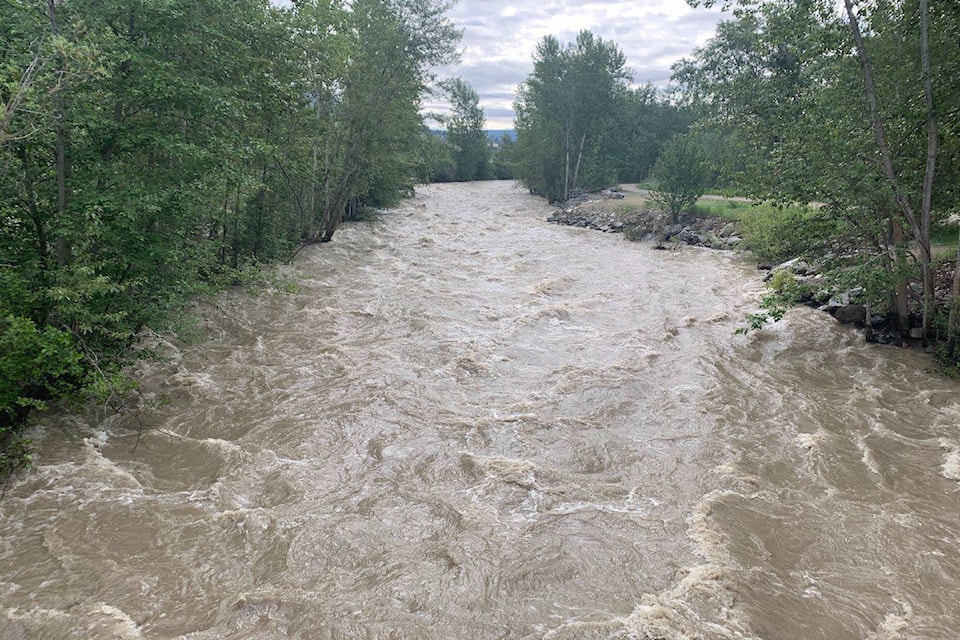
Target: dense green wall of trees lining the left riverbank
[{"x": 152, "y": 150}]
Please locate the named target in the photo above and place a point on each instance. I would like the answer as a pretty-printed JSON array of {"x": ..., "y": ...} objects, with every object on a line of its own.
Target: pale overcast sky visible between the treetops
[{"x": 499, "y": 37}]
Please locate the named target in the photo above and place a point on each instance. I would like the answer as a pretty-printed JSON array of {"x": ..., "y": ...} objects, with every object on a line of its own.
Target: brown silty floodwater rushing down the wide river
[{"x": 472, "y": 424}]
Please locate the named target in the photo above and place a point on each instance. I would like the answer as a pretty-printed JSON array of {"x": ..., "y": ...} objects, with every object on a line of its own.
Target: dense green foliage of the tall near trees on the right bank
[{"x": 852, "y": 106}]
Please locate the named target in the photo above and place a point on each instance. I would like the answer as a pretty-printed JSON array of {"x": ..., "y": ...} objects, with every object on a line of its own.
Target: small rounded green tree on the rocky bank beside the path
[{"x": 682, "y": 174}]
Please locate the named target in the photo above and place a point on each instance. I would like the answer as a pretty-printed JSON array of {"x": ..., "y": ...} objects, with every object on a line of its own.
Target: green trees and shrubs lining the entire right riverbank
[{"x": 839, "y": 119}]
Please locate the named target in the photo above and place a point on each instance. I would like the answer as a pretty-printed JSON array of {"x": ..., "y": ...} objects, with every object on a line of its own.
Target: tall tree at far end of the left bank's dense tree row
[{"x": 374, "y": 149}]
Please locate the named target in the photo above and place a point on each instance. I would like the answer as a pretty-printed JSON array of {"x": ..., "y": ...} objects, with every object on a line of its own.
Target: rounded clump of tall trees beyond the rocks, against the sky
[{"x": 579, "y": 126}]
